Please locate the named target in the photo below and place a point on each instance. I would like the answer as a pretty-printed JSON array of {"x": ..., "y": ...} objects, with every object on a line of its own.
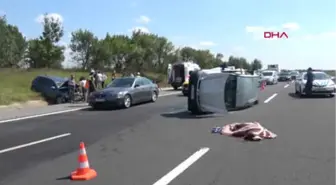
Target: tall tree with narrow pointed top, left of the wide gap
[{"x": 44, "y": 52}]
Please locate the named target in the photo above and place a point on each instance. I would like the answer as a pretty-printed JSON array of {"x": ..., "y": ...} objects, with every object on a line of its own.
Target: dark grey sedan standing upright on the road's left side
[{"x": 124, "y": 92}]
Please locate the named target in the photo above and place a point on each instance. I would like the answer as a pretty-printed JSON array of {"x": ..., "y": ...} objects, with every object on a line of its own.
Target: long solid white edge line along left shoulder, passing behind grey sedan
[{"x": 63, "y": 111}]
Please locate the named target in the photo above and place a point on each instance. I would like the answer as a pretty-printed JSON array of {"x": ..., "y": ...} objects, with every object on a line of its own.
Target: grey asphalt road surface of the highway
[{"x": 160, "y": 144}]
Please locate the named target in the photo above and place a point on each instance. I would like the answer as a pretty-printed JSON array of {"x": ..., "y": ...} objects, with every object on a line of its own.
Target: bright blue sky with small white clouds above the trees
[{"x": 232, "y": 27}]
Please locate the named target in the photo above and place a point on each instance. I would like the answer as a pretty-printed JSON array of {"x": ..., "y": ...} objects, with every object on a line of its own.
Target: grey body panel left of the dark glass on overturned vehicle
[{"x": 212, "y": 92}]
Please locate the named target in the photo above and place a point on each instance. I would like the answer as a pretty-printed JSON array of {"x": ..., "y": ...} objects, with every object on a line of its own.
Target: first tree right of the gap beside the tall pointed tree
[{"x": 82, "y": 43}]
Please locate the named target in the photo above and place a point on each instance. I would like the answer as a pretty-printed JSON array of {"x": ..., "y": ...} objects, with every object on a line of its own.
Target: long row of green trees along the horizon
[{"x": 137, "y": 52}]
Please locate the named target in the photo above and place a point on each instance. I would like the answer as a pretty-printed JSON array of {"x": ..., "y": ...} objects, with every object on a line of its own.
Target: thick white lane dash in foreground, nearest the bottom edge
[{"x": 181, "y": 167}]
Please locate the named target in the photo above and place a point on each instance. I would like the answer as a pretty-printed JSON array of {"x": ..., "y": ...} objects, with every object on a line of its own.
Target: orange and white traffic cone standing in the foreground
[{"x": 84, "y": 172}]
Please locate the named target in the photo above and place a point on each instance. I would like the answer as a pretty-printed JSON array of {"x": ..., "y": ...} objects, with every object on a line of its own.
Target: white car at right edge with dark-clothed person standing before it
[{"x": 323, "y": 84}]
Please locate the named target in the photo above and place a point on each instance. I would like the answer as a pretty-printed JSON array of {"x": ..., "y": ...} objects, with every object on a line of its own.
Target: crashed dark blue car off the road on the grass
[{"x": 53, "y": 89}]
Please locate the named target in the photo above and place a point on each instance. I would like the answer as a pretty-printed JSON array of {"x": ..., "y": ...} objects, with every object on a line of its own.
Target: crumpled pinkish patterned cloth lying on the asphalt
[{"x": 251, "y": 131}]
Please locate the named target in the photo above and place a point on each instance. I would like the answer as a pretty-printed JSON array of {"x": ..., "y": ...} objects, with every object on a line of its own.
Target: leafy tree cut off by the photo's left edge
[{"x": 12, "y": 44}]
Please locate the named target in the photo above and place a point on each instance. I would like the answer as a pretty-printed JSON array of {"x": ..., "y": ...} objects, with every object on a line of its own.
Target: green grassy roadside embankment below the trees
[{"x": 15, "y": 84}]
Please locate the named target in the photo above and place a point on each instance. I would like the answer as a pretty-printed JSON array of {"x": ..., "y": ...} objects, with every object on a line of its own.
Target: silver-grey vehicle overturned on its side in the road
[{"x": 219, "y": 91}]
